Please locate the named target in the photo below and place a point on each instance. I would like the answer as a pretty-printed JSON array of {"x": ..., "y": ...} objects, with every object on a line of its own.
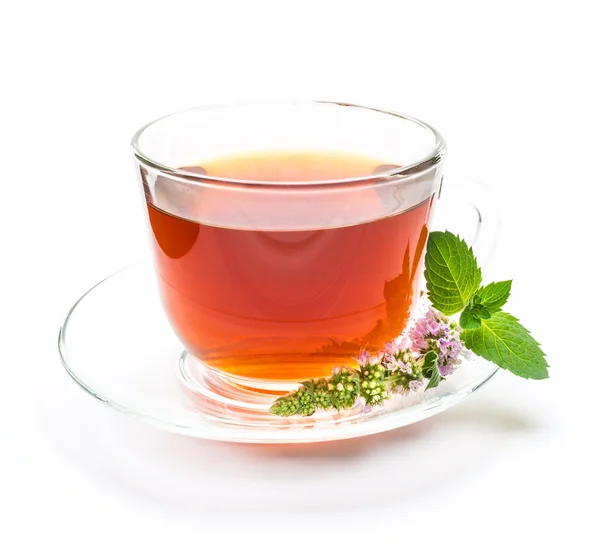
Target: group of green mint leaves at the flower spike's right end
[{"x": 454, "y": 285}]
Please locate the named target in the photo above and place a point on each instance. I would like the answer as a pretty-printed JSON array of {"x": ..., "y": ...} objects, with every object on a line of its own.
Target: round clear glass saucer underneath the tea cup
[{"x": 116, "y": 343}]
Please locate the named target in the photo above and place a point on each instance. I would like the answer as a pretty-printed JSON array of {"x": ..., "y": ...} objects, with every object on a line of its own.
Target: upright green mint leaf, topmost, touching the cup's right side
[{"x": 451, "y": 272}]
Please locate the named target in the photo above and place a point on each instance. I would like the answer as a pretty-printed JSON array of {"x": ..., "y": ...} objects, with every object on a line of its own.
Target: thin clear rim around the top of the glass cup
[{"x": 434, "y": 156}]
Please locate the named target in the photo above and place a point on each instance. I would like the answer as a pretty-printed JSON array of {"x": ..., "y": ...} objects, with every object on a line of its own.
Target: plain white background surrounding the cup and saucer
[{"x": 513, "y": 87}]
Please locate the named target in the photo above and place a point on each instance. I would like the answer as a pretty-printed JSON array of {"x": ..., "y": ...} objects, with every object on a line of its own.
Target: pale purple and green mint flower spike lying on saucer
[{"x": 395, "y": 369}]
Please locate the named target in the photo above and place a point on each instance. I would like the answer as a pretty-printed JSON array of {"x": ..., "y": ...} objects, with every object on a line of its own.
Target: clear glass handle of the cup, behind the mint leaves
[{"x": 464, "y": 191}]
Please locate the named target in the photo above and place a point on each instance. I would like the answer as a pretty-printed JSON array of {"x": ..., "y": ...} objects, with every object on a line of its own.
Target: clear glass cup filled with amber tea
[{"x": 271, "y": 282}]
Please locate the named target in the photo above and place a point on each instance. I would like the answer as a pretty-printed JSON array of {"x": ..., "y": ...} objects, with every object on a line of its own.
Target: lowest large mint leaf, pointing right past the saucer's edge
[{"x": 502, "y": 340}]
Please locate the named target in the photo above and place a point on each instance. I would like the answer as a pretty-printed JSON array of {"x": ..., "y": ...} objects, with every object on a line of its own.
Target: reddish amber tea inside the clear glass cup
[{"x": 289, "y": 304}]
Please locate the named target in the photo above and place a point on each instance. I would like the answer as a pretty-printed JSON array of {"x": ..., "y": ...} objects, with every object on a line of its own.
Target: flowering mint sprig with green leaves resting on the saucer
[{"x": 431, "y": 350}]
